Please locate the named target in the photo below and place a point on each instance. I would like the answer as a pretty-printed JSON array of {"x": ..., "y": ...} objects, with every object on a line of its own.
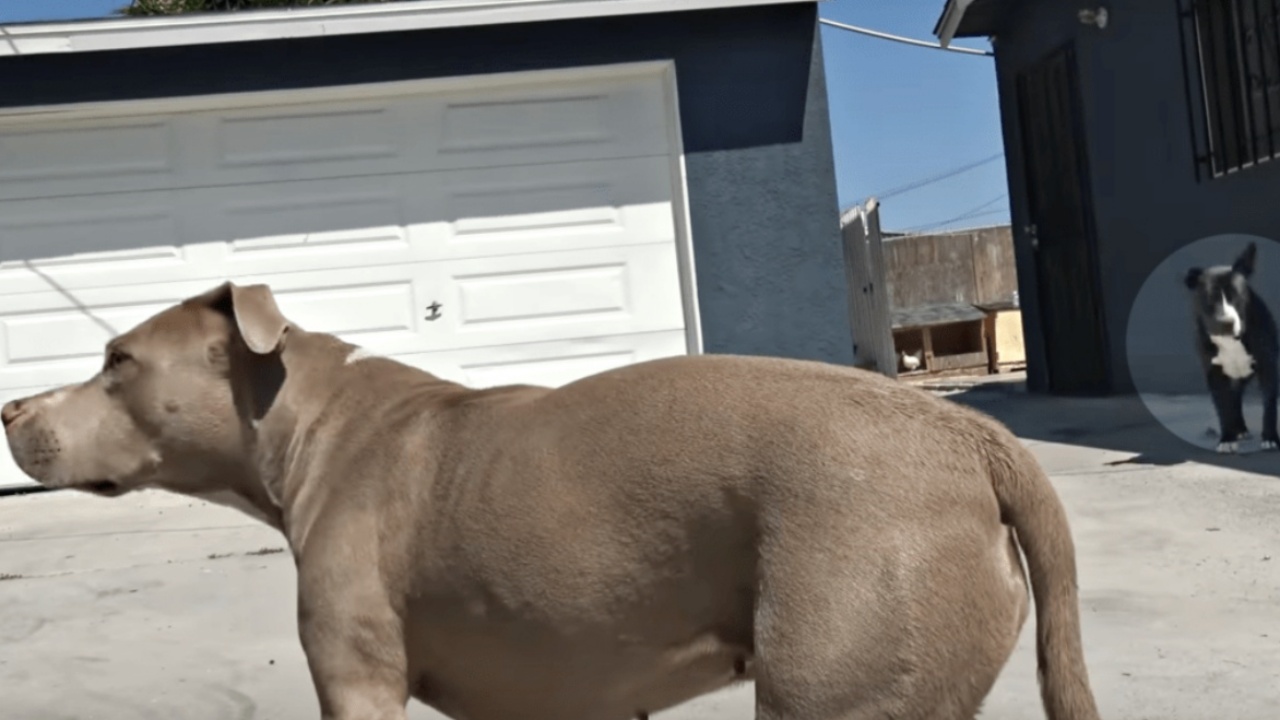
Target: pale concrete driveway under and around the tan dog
[{"x": 161, "y": 608}]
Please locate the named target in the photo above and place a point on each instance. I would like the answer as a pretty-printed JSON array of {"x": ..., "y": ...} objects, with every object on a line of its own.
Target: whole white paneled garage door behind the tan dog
[{"x": 519, "y": 229}]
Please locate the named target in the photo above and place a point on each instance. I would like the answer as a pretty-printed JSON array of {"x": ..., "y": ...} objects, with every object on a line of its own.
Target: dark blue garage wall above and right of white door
[{"x": 753, "y": 110}]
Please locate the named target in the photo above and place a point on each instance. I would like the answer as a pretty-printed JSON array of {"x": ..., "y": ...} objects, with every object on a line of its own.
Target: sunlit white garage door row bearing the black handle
[{"x": 479, "y": 303}]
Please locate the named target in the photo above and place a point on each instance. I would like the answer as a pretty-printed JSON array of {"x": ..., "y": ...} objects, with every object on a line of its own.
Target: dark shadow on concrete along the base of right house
[{"x": 1123, "y": 425}]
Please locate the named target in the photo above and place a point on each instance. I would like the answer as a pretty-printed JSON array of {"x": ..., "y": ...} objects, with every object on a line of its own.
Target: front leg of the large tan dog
[{"x": 354, "y": 644}]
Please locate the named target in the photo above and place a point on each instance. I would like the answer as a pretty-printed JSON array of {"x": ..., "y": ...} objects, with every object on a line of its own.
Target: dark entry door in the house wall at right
[{"x": 1062, "y": 227}]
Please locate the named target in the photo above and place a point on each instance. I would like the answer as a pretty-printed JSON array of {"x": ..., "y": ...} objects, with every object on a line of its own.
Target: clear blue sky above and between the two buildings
[{"x": 900, "y": 115}]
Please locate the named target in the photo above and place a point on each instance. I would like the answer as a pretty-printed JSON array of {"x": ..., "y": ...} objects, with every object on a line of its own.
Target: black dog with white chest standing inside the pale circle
[{"x": 1236, "y": 336}]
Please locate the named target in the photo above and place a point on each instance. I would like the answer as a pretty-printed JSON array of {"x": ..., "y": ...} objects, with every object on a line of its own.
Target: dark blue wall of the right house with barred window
[{"x": 1146, "y": 195}]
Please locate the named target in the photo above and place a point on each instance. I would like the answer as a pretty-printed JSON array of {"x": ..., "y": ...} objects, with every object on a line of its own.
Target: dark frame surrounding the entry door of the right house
[{"x": 1087, "y": 208}]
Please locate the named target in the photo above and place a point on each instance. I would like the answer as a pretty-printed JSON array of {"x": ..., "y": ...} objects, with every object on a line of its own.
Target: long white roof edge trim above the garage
[{"x": 208, "y": 29}]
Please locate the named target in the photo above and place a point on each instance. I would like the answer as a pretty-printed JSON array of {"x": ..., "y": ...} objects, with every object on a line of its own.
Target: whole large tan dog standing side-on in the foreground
[{"x": 610, "y": 549}]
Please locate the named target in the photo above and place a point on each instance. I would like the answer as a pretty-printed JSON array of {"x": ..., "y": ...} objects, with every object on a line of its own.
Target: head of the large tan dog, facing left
[{"x": 171, "y": 407}]
